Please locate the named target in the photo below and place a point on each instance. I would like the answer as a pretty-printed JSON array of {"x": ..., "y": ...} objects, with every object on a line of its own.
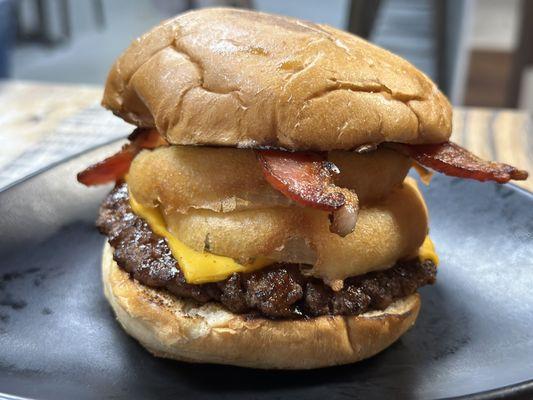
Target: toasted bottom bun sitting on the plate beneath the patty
[{"x": 185, "y": 330}]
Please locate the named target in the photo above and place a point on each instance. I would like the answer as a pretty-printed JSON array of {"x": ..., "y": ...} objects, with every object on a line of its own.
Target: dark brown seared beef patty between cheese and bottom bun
[{"x": 278, "y": 291}]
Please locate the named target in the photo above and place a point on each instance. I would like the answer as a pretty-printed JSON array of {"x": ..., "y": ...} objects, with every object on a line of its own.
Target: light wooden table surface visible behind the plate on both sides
[{"x": 37, "y": 116}]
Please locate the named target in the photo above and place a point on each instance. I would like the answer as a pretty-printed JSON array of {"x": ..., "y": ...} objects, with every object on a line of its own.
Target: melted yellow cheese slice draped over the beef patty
[{"x": 202, "y": 267}]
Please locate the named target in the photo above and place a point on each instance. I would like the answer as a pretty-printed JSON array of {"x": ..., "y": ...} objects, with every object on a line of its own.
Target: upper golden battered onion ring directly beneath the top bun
[{"x": 184, "y": 178}]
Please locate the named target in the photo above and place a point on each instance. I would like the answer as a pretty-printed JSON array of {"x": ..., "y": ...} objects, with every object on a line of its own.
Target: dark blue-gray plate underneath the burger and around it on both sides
[{"x": 58, "y": 337}]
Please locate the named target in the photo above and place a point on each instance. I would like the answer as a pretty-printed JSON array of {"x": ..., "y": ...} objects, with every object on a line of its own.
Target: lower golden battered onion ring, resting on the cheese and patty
[{"x": 390, "y": 230}]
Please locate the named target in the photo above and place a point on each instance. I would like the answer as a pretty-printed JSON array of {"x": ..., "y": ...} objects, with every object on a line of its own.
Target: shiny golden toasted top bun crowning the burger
[{"x": 246, "y": 79}]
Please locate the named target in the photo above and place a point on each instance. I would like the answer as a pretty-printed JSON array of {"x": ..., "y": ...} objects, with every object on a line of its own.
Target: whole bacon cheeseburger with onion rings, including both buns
[{"x": 262, "y": 215}]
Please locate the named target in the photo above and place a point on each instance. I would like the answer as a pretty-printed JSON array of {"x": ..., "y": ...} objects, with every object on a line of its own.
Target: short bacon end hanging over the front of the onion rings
[{"x": 306, "y": 178}]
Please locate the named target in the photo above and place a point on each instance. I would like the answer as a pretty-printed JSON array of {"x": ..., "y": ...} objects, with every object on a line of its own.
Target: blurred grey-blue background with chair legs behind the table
[{"x": 480, "y": 52}]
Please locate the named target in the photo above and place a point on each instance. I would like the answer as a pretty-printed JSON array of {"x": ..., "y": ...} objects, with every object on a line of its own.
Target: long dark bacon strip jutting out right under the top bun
[{"x": 451, "y": 159}]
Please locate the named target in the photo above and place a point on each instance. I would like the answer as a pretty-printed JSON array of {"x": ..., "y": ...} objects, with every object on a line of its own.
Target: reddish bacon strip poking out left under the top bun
[{"x": 115, "y": 167}]
